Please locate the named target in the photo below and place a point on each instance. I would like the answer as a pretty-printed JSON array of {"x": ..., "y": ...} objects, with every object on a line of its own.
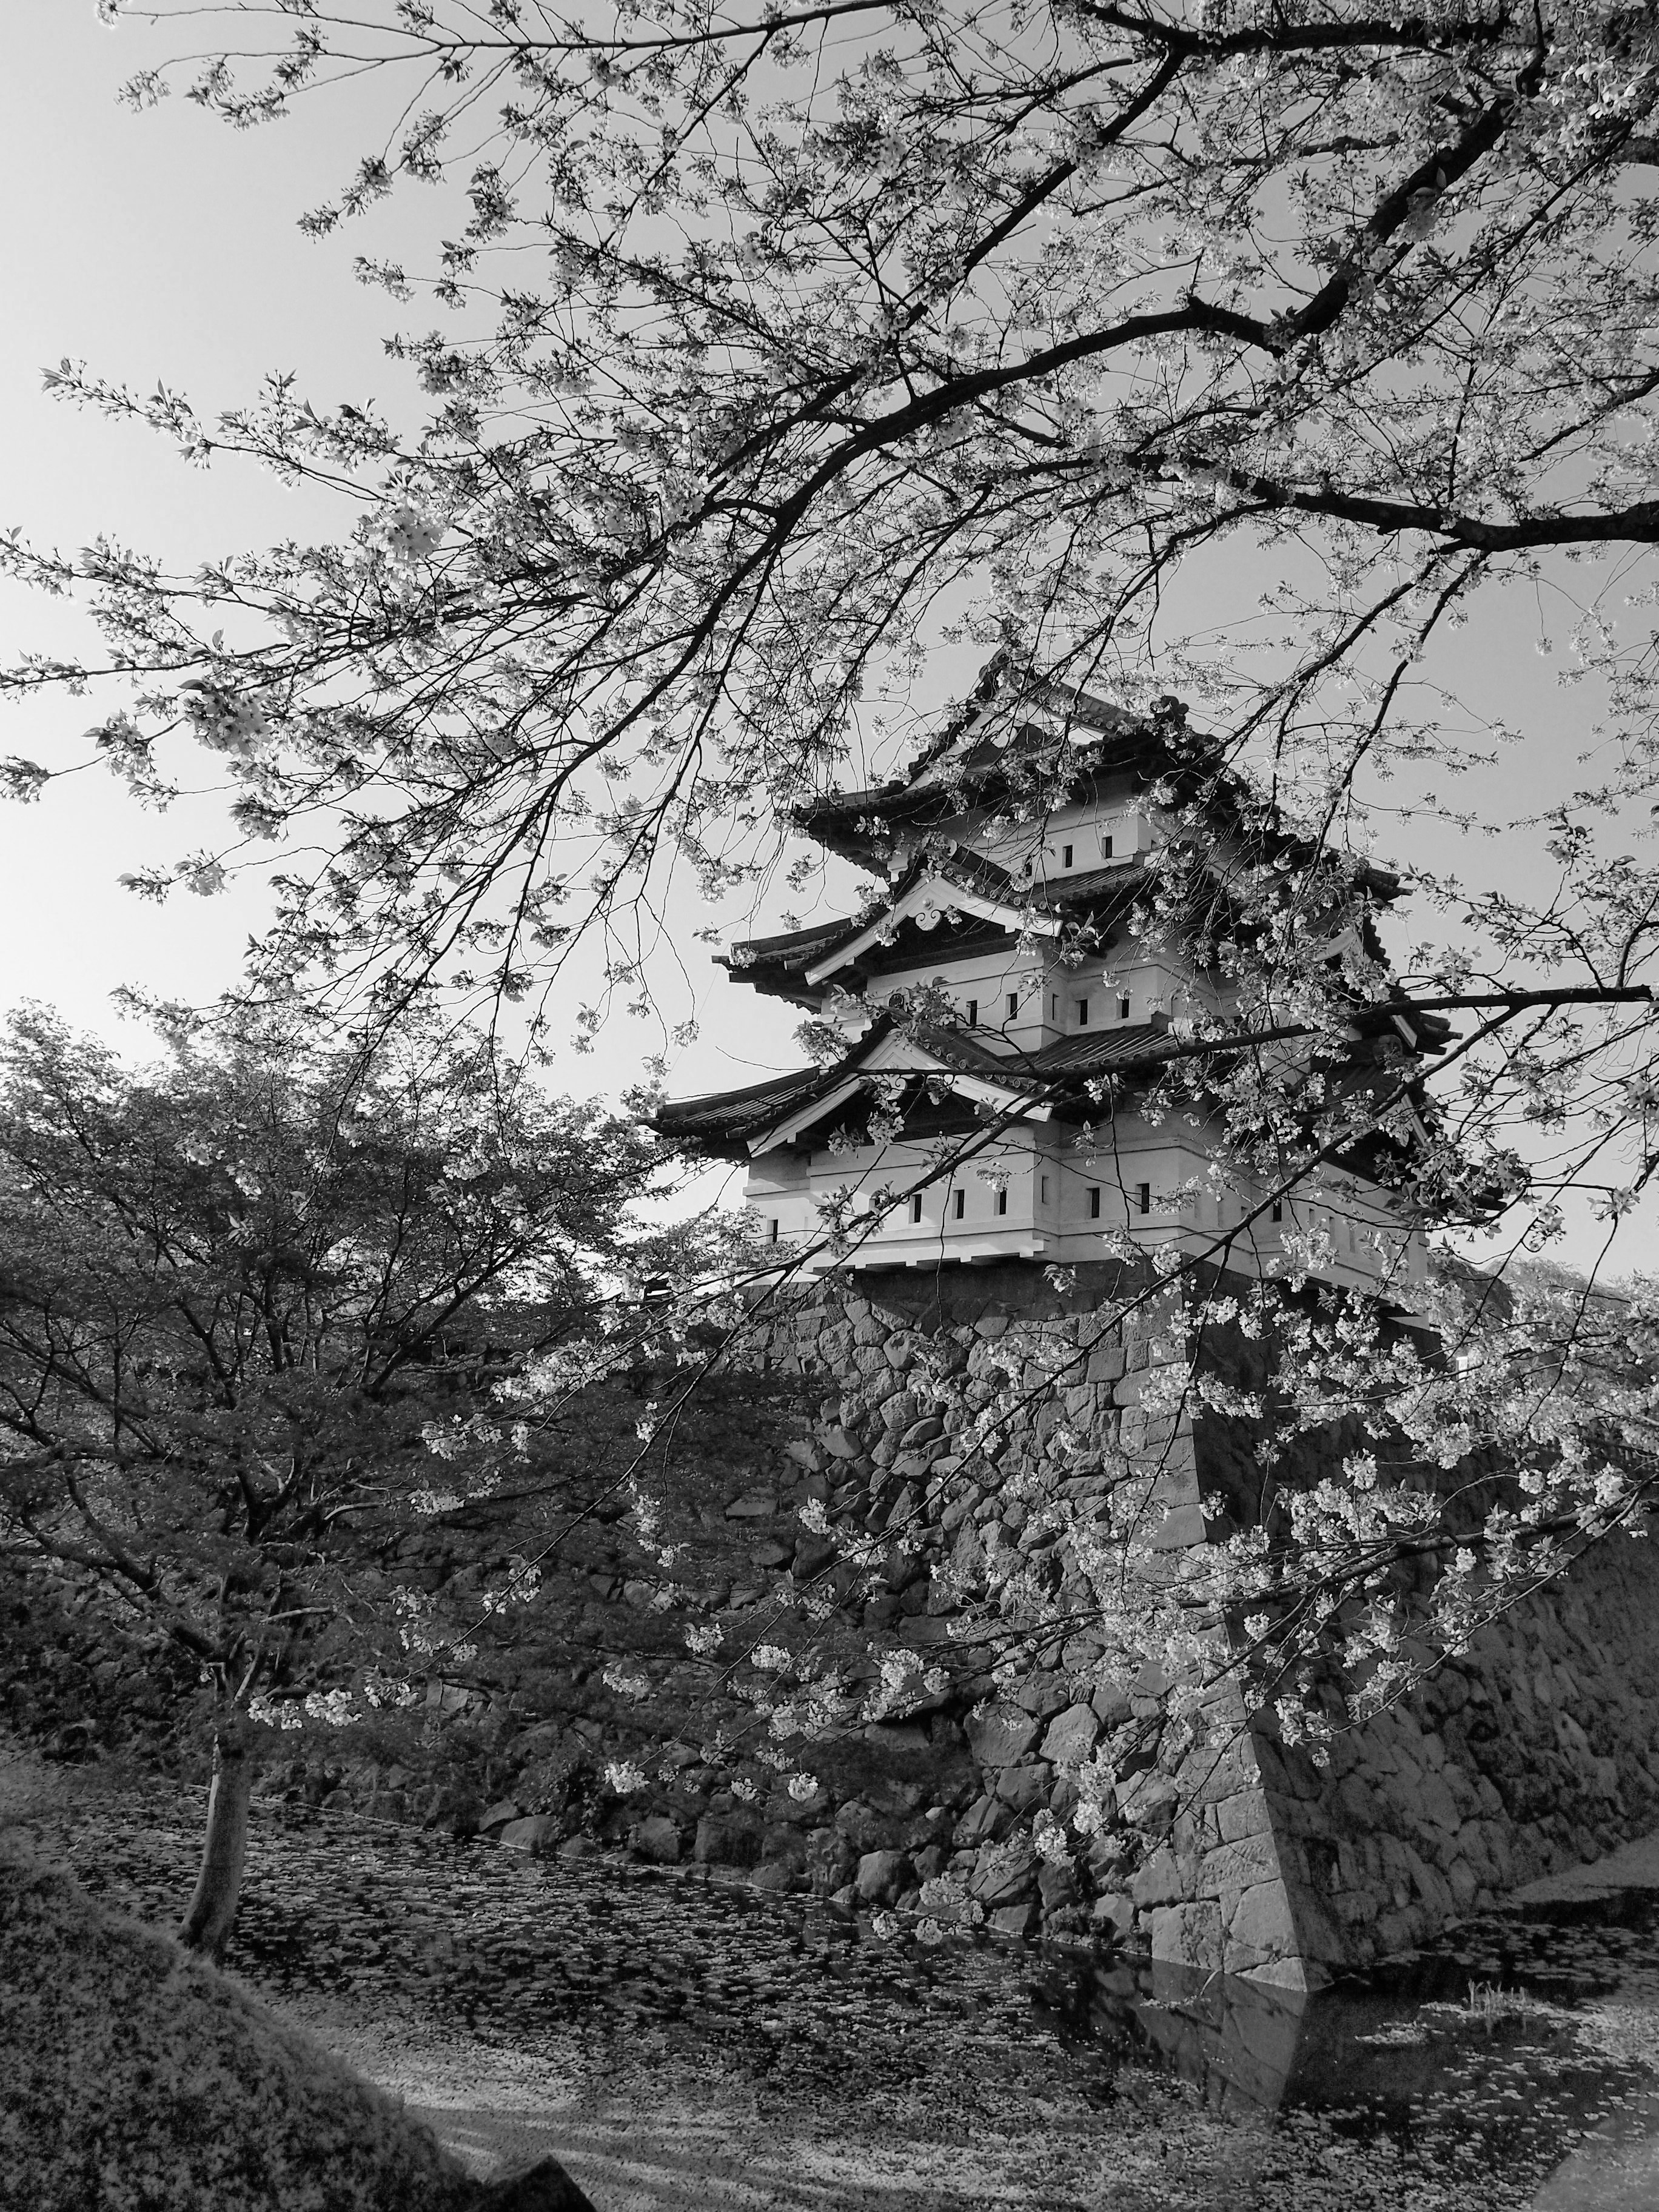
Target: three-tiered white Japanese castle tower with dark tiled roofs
[{"x": 1010, "y": 1001}]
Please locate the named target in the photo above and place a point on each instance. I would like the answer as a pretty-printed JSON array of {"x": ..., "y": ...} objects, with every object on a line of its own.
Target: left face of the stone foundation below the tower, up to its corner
[{"x": 862, "y": 1404}]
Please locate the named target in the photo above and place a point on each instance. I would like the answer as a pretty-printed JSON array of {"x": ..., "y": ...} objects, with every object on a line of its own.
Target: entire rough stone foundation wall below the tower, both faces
[{"x": 1530, "y": 1753}]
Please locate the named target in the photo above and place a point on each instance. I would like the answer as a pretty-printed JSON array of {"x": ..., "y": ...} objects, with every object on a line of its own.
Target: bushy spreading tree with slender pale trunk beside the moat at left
[{"x": 244, "y": 1297}]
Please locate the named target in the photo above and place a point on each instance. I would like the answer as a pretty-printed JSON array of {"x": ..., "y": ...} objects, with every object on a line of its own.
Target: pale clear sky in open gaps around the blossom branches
[{"x": 165, "y": 249}]
